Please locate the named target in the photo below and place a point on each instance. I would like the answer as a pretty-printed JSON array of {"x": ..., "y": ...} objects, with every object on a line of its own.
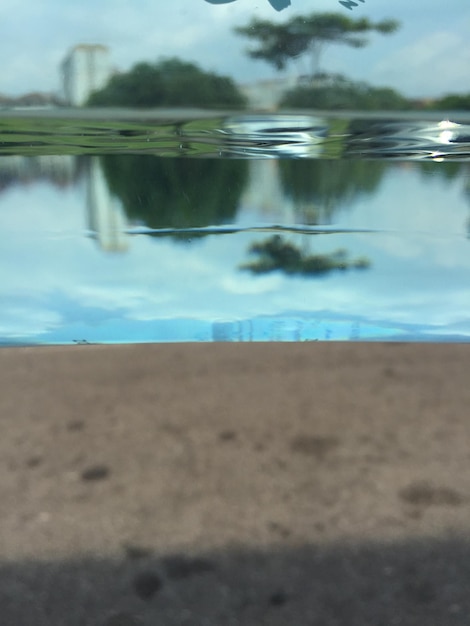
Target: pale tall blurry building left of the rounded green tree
[{"x": 85, "y": 69}]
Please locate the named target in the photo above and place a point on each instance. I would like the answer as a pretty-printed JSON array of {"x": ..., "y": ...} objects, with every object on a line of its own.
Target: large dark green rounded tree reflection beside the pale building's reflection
[{"x": 176, "y": 192}]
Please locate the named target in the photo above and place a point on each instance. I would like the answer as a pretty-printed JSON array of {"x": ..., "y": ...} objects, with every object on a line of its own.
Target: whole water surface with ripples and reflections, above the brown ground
[{"x": 182, "y": 226}]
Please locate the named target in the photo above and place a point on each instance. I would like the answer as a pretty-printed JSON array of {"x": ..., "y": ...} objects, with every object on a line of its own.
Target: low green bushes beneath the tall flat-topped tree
[{"x": 339, "y": 93}]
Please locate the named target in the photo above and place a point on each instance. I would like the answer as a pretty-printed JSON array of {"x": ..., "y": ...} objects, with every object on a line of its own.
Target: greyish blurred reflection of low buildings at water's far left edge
[{"x": 60, "y": 170}]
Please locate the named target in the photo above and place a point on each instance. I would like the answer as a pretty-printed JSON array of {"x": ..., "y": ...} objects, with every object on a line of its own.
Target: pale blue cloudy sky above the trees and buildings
[{"x": 429, "y": 56}]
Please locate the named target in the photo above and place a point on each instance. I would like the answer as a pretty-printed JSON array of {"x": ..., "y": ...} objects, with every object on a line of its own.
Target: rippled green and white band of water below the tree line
[{"x": 205, "y": 134}]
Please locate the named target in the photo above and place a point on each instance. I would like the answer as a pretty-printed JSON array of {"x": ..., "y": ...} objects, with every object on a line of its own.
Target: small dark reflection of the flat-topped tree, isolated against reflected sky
[{"x": 276, "y": 254}]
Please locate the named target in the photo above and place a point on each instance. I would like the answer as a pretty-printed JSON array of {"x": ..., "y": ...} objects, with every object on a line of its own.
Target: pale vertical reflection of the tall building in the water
[{"x": 106, "y": 217}]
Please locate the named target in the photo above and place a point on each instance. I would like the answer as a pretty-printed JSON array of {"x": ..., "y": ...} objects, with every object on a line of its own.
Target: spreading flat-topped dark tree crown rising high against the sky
[{"x": 308, "y": 35}]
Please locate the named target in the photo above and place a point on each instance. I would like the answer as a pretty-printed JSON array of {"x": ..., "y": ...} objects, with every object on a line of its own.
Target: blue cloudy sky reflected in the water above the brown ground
[{"x": 58, "y": 285}]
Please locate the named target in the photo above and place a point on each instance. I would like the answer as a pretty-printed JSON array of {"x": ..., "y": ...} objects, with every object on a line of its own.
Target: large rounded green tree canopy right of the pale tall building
[{"x": 170, "y": 82}]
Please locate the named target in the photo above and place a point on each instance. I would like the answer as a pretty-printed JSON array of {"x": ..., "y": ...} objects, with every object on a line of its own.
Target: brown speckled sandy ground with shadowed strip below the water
[{"x": 301, "y": 485}]
